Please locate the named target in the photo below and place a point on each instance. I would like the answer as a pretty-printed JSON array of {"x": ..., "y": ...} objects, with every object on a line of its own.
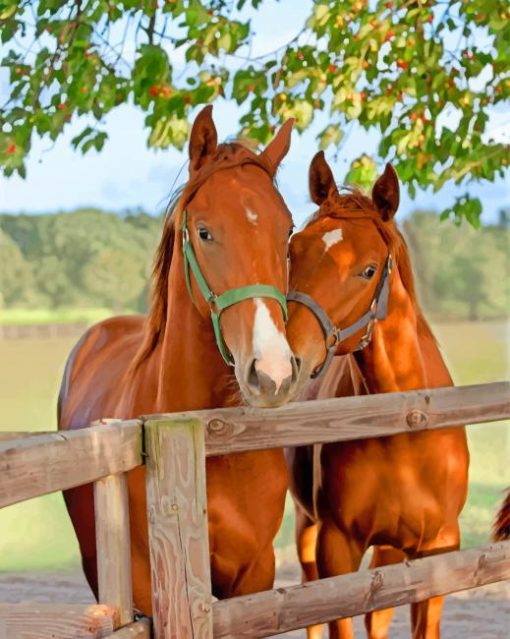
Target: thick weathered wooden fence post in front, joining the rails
[{"x": 178, "y": 532}]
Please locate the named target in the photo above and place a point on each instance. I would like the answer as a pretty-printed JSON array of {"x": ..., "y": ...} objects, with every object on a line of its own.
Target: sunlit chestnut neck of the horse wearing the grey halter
[{"x": 403, "y": 354}]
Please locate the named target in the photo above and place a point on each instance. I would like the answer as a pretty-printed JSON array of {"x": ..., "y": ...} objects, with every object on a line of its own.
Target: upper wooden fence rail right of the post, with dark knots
[{"x": 321, "y": 421}]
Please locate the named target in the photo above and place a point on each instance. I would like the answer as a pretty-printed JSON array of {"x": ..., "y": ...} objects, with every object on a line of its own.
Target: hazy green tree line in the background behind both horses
[{"x": 92, "y": 258}]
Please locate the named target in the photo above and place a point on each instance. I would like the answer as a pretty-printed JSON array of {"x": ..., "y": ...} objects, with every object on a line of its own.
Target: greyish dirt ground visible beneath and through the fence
[{"x": 483, "y": 613}]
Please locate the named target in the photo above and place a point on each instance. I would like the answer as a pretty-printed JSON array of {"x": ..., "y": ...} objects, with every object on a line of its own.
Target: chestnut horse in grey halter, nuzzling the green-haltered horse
[{"x": 402, "y": 494}]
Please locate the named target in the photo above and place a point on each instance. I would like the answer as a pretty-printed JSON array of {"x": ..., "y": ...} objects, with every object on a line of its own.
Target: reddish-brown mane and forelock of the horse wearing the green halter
[{"x": 227, "y": 155}]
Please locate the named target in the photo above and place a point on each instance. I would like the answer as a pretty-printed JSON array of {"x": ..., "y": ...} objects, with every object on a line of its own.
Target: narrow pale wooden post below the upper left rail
[{"x": 113, "y": 545}]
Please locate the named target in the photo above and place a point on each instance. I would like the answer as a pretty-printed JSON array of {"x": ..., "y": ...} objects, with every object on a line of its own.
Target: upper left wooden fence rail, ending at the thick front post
[{"x": 33, "y": 466}]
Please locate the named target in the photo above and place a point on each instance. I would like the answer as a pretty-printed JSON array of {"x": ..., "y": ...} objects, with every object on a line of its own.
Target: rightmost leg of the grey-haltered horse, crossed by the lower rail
[{"x": 426, "y": 615}]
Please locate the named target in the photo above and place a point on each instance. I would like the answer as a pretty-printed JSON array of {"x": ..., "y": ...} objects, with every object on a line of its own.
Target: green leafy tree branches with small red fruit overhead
[{"x": 423, "y": 73}]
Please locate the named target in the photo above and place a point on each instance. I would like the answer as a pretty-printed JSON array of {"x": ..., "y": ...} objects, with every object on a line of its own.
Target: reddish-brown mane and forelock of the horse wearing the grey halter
[{"x": 351, "y": 203}]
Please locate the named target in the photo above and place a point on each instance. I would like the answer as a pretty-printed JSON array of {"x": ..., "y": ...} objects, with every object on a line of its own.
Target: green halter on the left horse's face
[{"x": 218, "y": 303}]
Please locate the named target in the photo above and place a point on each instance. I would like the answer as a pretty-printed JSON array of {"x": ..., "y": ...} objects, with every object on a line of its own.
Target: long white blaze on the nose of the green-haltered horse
[{"x": 270, "y": 348}]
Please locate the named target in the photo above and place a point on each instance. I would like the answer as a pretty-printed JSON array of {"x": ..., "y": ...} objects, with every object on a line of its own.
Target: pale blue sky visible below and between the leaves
[{"x": 128, "y": 175}]
